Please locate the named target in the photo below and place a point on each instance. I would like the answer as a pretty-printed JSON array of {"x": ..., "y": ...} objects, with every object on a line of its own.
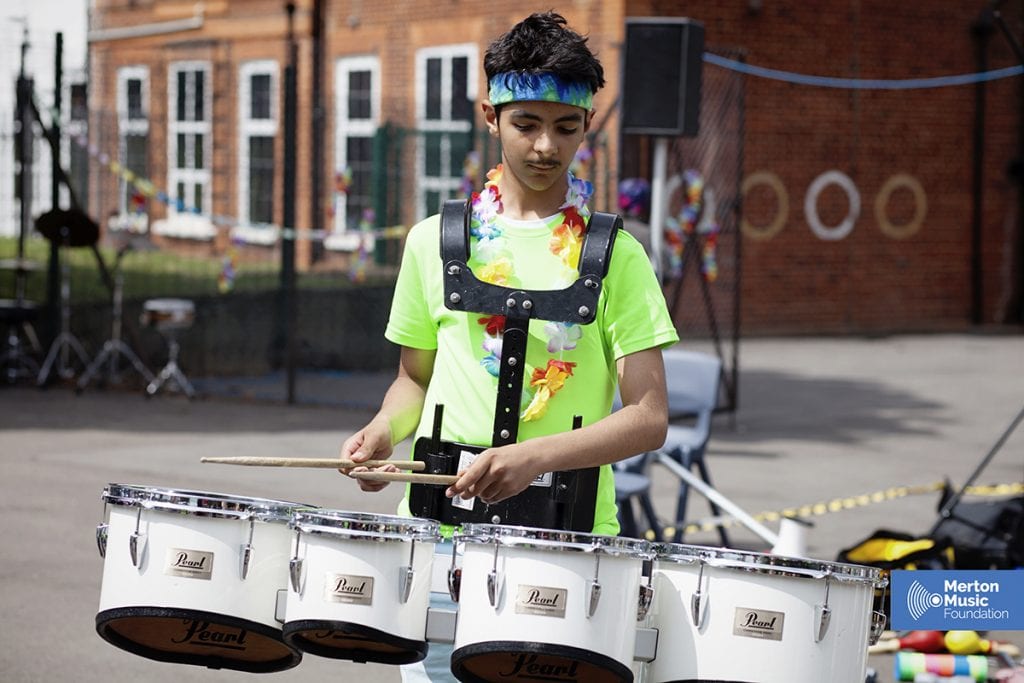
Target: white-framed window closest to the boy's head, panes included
[{"x": 446, "y": 96}]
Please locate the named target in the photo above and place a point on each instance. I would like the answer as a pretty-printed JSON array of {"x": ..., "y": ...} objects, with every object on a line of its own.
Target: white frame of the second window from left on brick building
[{"x": 188, "y": 224}]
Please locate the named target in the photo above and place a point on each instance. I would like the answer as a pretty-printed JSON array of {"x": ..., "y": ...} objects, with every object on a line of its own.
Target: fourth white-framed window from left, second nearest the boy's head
[{"x": 358, "y": 117}]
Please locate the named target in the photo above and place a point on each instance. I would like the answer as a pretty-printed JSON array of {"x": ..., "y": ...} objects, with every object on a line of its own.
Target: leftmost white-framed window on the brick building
[{"x": 134, "y": 139}]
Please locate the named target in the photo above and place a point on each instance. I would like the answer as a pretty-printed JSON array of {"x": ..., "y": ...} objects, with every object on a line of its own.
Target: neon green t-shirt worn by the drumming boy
[{"x": 632, "y": 317}]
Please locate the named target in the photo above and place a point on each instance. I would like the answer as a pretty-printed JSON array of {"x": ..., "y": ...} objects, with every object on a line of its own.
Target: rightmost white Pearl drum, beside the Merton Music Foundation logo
[{"x": 737, "y": 617}]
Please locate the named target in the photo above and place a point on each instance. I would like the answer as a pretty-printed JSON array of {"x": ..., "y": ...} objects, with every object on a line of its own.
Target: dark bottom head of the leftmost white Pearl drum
[{"x": 204, "y": 639}]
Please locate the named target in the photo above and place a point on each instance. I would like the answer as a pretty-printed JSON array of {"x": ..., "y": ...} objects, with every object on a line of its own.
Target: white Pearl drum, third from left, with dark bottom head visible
[{"x": 543, "y": 605}]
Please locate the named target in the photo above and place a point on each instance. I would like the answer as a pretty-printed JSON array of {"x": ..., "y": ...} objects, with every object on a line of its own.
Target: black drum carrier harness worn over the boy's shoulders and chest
[{"x": 557, "y": 500}]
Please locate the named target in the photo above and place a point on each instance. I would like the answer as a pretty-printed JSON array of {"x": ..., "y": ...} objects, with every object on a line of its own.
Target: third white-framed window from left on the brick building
[{"x": 258, "y": 132}]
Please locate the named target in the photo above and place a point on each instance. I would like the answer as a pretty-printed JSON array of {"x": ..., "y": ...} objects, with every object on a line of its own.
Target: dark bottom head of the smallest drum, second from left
[{"x": 345, "y": 641}]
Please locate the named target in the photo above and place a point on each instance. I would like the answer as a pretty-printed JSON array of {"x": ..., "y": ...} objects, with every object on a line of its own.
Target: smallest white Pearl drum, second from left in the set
[{"x": 361, "y": 586}]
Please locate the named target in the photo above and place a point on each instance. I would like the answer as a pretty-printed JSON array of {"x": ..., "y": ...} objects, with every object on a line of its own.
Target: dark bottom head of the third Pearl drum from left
[{"x": 515, "y": 661}]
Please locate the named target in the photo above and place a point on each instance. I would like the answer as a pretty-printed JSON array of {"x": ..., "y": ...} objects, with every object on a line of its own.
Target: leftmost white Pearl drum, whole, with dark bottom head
[{"x": 196, "y": 578}]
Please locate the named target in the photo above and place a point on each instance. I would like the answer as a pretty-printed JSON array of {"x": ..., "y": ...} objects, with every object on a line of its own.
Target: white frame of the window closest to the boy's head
[{"x": 449, "y": 185}]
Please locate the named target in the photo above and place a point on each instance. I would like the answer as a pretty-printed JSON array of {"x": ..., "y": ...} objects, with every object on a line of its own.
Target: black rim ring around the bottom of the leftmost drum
[{"x": 108, "y": 633}]
